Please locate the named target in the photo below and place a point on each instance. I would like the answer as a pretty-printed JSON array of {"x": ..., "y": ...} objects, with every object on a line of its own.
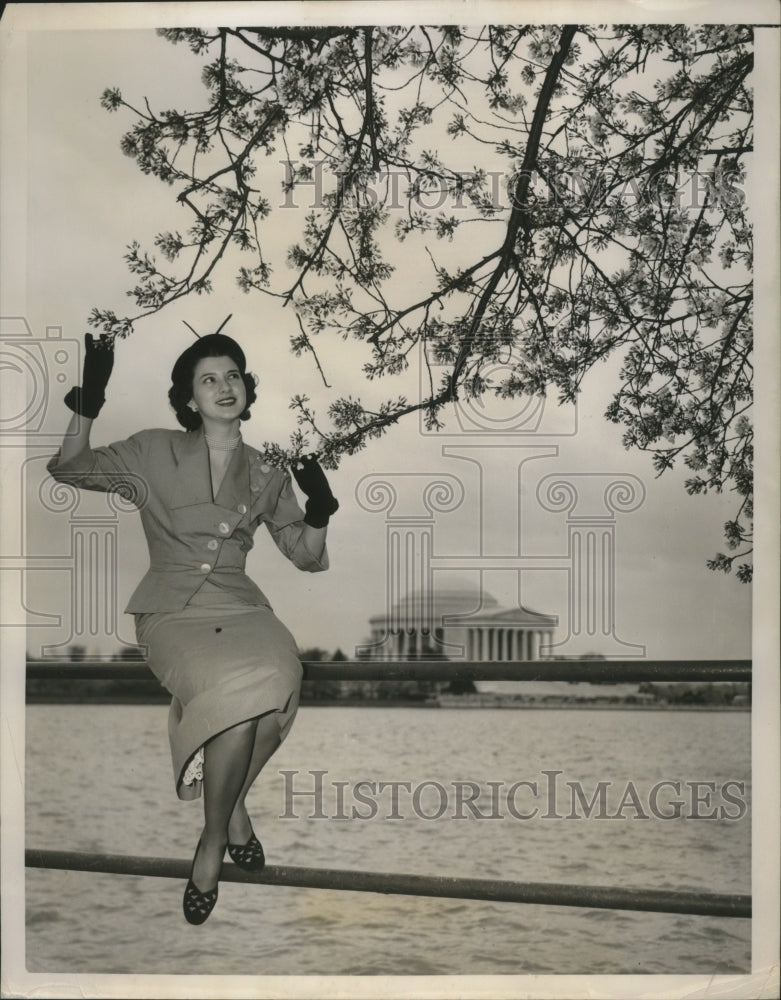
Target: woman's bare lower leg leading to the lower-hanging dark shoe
[{"x": 227, "y": 759}]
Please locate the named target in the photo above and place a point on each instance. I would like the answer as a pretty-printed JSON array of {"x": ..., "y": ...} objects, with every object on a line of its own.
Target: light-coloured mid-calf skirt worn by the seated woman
[{"x": 224, "y": 662}]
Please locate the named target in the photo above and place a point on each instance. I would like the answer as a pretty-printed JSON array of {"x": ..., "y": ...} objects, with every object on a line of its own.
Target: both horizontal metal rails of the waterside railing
[{"x": 551, "y": 894}]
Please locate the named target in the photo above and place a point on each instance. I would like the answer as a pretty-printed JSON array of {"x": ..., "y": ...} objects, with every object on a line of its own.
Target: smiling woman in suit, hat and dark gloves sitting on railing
[{"x": 213, "y": 640}]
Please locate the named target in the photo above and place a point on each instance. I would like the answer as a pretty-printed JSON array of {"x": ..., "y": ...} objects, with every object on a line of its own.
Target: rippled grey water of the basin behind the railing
[{"x": 98, "y": 779}]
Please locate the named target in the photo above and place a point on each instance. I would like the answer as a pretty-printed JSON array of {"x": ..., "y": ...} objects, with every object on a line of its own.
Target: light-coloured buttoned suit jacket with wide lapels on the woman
[{"x": 193, "y": 536}]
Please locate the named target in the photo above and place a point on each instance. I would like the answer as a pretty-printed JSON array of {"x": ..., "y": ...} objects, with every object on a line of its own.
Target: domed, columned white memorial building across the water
[{"x": 458, "y": 623}]
